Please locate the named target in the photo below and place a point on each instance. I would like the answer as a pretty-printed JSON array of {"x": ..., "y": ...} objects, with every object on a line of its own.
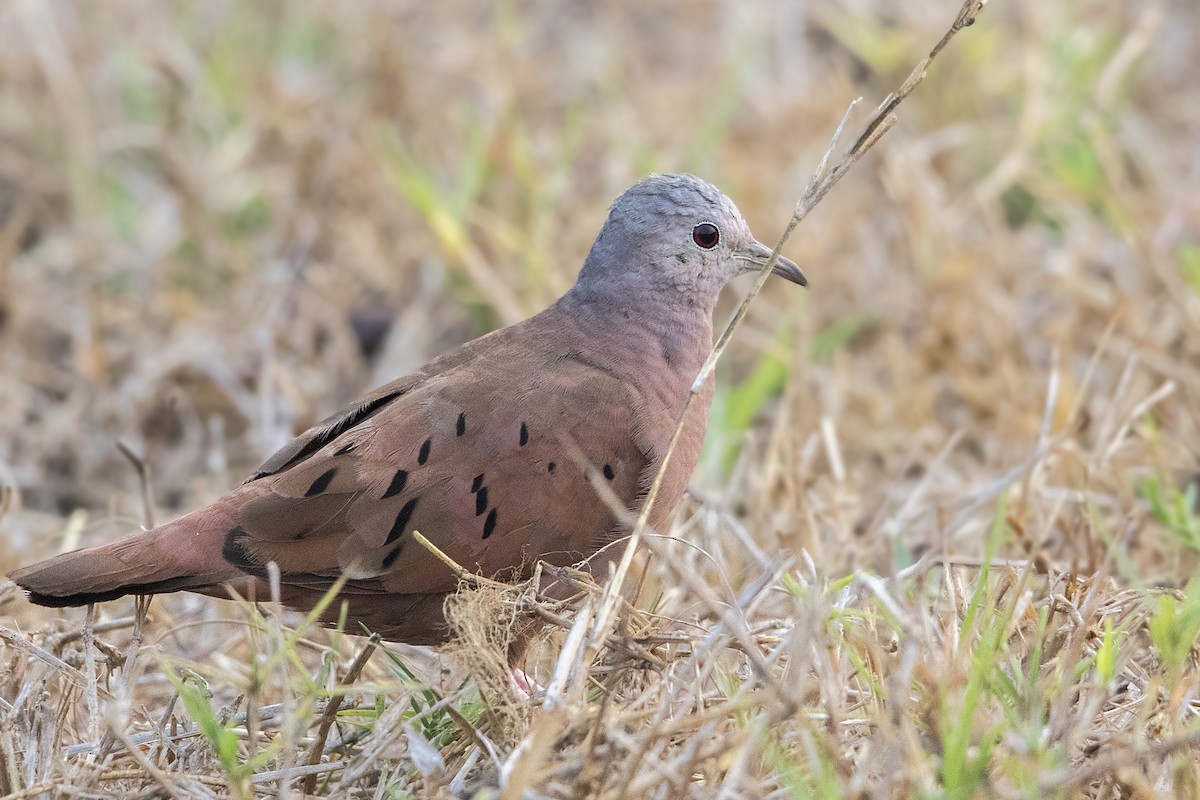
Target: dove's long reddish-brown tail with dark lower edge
[{"x": 183, "y": 555}]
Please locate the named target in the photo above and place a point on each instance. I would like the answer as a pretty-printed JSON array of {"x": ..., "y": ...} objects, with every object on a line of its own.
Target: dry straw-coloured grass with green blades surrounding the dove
[{"x": 941, "y": 542}]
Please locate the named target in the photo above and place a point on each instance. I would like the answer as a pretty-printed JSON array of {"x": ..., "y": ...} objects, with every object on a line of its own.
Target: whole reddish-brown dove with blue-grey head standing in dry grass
[{"x": 487, "y": 450}]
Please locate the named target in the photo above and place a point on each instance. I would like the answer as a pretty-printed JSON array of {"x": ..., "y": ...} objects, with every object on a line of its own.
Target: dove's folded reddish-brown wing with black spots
[{"x": 479, "y": 453}]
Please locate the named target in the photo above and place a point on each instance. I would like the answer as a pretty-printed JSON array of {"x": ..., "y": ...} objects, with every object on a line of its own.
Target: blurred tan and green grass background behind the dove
[{"x": 223, "y": 221}]
